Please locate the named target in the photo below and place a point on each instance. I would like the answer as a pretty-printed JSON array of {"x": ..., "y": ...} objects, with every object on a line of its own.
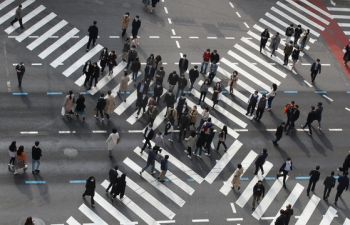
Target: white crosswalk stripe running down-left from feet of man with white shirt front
[{"x": 269, "y": 197}]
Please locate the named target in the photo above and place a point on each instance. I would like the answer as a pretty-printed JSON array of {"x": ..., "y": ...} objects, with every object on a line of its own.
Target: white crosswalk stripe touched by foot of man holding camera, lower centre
[{"x": 155, "y": 183}]
